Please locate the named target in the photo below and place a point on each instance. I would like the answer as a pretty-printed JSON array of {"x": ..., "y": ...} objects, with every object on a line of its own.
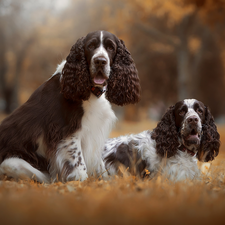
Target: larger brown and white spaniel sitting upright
[{"x": 60, "y": 132}]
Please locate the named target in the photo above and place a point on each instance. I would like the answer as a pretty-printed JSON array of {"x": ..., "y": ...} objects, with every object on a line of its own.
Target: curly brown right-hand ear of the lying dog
[{"x": 210, "y": 142}]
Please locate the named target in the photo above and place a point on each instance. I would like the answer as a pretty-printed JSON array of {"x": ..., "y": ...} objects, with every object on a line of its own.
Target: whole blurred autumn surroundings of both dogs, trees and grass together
[{"x": 179, "y": 49}]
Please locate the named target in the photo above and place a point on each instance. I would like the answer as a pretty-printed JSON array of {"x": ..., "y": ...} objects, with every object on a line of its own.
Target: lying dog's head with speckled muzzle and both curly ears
[{"x": 188, "y": 123}]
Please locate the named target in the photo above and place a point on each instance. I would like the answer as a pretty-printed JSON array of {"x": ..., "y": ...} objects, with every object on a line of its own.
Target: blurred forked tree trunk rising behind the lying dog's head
[{"x": 186, "y": 73}]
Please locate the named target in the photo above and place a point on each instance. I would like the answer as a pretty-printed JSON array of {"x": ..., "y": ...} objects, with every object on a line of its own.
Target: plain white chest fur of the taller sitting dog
[{"x": 96, "y": 125}]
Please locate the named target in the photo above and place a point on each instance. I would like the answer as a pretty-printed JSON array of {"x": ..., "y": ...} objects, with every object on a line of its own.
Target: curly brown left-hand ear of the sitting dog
[{"x": 75, "y": 82}]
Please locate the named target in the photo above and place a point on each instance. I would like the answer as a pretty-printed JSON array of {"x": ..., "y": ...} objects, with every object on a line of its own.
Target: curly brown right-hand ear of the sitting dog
[{"x": 123, "y": 83}]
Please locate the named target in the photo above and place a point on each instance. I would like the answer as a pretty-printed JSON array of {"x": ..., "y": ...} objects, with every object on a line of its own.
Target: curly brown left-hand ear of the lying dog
[{"x": 166, "y": 135}]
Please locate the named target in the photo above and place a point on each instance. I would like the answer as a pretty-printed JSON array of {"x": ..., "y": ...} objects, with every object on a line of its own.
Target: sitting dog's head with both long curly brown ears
[{"x": 97, "y": 60}]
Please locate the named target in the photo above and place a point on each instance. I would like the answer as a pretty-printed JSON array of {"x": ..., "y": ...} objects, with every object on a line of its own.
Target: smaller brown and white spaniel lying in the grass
[{"x": 186, "y": 132}]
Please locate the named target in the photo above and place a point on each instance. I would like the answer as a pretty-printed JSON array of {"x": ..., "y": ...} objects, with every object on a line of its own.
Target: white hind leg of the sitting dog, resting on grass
[{"x": 20, "y": 169}]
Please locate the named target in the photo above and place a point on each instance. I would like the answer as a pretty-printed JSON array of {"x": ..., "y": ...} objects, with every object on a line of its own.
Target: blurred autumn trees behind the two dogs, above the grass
[{"x": 178, "y": 47}]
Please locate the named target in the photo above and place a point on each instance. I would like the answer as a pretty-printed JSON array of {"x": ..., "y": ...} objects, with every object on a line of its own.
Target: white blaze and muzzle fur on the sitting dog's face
[{"x": 100, "y": 52}]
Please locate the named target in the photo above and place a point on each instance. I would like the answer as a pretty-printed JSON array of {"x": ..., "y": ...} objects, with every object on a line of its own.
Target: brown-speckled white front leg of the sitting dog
[{"x": 69, "y": 163}]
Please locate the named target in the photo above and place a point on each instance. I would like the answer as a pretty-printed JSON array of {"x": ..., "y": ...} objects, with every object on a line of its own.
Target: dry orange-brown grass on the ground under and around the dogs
[{"x": 126, "y": 200}]
